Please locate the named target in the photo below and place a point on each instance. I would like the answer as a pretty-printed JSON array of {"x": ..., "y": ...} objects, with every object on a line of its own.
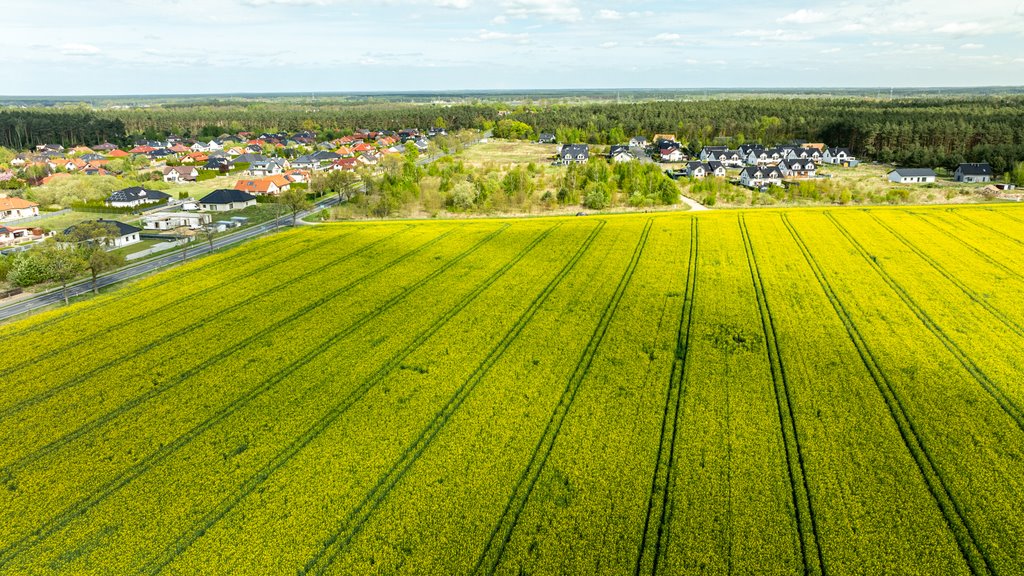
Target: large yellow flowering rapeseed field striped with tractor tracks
[{"x": 753, "y": 392}]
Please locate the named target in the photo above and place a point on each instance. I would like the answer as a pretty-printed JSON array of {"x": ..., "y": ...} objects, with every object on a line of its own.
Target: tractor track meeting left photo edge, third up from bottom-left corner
[{"x": 86, "y": 377}]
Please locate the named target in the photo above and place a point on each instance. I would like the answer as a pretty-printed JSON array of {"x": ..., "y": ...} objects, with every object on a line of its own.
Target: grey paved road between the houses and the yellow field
[{"x": 150, "y": 266}]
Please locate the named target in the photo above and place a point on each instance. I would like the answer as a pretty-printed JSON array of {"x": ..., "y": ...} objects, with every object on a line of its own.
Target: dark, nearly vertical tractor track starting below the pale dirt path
[{"x": 652, "y": 542}]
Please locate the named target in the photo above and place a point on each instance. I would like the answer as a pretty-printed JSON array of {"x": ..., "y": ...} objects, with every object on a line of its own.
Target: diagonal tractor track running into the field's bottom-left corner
[{"x": 63, "y": 519}]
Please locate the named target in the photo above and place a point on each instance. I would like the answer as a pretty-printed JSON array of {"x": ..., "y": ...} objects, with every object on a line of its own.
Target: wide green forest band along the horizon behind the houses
[{"x": 932, "y": 132}]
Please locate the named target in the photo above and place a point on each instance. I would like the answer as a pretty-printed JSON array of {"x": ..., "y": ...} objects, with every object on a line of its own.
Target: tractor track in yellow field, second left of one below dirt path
[{"x": 355, "y": 521}]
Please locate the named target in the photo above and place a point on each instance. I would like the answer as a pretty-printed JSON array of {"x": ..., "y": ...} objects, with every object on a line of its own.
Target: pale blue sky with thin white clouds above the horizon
[{"x": 219, "y": 47}]
